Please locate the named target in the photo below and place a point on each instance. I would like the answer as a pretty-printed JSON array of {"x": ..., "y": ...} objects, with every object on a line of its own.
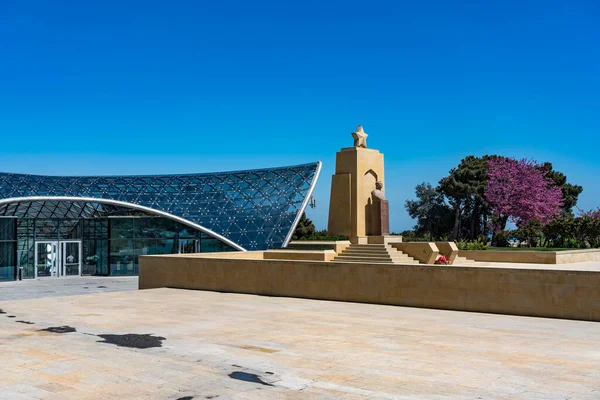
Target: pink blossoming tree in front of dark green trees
[{"x": 519, "y": 191}]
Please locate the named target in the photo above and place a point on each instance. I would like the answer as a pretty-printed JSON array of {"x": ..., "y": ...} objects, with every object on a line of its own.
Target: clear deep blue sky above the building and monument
[{"x": 139, "y": 87}]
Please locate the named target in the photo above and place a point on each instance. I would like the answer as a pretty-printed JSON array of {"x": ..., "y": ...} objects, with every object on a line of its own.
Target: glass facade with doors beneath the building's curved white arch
[{"x": 109, "y": 246}]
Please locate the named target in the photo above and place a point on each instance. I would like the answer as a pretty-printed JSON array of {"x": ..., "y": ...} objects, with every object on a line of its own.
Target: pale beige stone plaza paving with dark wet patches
[{"x": 233, "y": 346}]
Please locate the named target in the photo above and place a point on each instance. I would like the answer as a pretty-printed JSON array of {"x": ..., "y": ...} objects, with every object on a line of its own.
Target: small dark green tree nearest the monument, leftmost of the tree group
[{"x": 431, "y": 212}]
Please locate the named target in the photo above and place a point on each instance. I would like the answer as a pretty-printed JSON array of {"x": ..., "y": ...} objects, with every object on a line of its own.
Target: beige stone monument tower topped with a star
[{"x": 358, "y": 207}]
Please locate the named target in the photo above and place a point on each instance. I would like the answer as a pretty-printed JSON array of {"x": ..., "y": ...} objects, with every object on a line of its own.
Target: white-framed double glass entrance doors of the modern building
[{"x": 57, "y": 258}]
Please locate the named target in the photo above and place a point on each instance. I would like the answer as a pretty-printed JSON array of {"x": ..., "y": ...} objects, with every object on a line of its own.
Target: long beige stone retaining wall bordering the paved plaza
[{"x": 543, "y": 293}]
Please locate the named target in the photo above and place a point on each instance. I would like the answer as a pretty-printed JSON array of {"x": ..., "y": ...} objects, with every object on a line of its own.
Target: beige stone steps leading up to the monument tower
[{"x": 374, "y": 254}]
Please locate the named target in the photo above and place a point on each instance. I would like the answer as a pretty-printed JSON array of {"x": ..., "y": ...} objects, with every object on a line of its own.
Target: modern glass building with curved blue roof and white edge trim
[{"x": 99, "y": 225}]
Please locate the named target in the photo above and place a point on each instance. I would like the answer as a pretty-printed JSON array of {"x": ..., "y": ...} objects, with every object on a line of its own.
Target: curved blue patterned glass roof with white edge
[{"x": 253, "y": 210}]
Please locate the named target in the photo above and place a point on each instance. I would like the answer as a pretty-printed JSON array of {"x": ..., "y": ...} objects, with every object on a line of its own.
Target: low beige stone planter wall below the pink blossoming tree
[{"x": 533, "y": 257}]
